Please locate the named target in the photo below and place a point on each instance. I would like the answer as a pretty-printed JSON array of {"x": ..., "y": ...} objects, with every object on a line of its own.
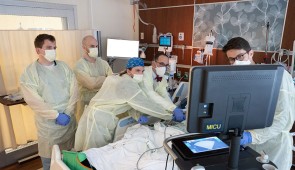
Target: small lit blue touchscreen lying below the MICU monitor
[{"x": 205, "y": 144}]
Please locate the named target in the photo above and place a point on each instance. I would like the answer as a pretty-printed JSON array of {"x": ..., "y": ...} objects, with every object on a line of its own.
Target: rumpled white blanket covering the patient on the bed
[{"x": 124, "y": 154}]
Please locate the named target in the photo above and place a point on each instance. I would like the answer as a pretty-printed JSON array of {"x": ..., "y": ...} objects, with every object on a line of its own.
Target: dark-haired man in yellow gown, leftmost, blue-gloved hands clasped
[{"x": 50, "y": 89}]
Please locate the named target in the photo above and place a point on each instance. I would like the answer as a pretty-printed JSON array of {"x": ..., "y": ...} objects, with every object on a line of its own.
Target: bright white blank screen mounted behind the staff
[{"x": 122, "y": 48}]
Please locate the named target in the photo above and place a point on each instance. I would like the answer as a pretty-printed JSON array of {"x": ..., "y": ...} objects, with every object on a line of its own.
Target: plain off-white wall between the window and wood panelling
[{"x": 112, "y": 17}]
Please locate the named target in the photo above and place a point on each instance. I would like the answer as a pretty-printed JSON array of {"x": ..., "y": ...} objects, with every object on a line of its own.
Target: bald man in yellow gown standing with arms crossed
[{"x": 90, "y": 71}]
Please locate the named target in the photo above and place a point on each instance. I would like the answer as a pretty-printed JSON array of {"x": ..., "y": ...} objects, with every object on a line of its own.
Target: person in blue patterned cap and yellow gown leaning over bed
[{"x": 119, "y": 94}]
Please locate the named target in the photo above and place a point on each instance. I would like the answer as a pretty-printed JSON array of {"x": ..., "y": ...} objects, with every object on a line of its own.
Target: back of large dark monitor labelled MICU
[{"x": 224, "y": 98}]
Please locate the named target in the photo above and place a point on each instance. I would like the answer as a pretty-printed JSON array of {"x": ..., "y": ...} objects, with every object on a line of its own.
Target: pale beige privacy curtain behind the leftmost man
[{"x": 17, "y": 51}]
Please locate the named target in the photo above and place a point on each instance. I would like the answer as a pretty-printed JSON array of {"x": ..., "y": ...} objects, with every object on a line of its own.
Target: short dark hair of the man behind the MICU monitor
[{"x": 237, "y": 43}]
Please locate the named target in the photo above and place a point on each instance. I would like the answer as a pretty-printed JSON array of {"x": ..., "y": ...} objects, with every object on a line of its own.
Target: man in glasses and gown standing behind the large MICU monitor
[{"x": 276, "y": 140}]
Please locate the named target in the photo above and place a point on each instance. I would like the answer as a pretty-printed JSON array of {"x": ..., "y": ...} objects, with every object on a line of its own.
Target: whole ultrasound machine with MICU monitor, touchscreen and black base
[{"x": 223, "y": 102}]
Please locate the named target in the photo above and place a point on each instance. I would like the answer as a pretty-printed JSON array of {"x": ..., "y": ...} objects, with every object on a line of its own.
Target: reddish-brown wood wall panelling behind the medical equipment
[{"x": 177, "y": 16}]
